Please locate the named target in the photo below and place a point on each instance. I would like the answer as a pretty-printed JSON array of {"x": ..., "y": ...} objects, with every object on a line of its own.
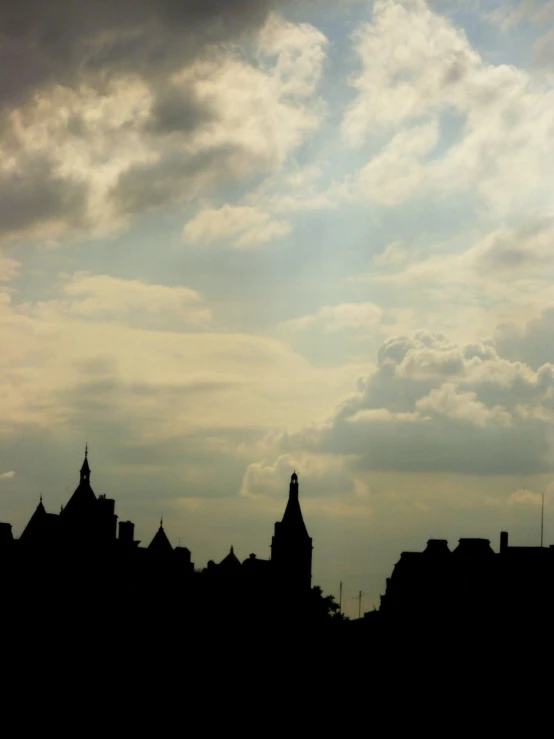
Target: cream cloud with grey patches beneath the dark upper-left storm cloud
[{"x": 81, "y": 157}]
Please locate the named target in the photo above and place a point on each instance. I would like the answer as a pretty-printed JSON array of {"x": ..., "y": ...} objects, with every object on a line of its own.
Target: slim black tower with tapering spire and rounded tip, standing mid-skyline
[{"x": 291, "y": 546}]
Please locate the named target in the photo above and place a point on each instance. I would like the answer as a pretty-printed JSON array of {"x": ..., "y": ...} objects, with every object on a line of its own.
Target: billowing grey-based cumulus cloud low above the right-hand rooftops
[{"x": 433, "y": 405}]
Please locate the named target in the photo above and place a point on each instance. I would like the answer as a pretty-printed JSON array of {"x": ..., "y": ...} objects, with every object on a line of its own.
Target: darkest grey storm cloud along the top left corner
[{"x": 64, "y": 40}]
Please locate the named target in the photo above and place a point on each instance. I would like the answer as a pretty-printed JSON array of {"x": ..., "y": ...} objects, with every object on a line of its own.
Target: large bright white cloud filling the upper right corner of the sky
[{"x": 418, "y": 71}]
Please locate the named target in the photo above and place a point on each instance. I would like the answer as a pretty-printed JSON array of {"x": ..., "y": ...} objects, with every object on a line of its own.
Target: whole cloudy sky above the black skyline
[{"x": 242, "y": 238}]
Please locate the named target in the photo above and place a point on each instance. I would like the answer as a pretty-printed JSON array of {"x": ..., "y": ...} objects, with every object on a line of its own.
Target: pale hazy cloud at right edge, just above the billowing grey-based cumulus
[{"x": 471, "y": 284}]
